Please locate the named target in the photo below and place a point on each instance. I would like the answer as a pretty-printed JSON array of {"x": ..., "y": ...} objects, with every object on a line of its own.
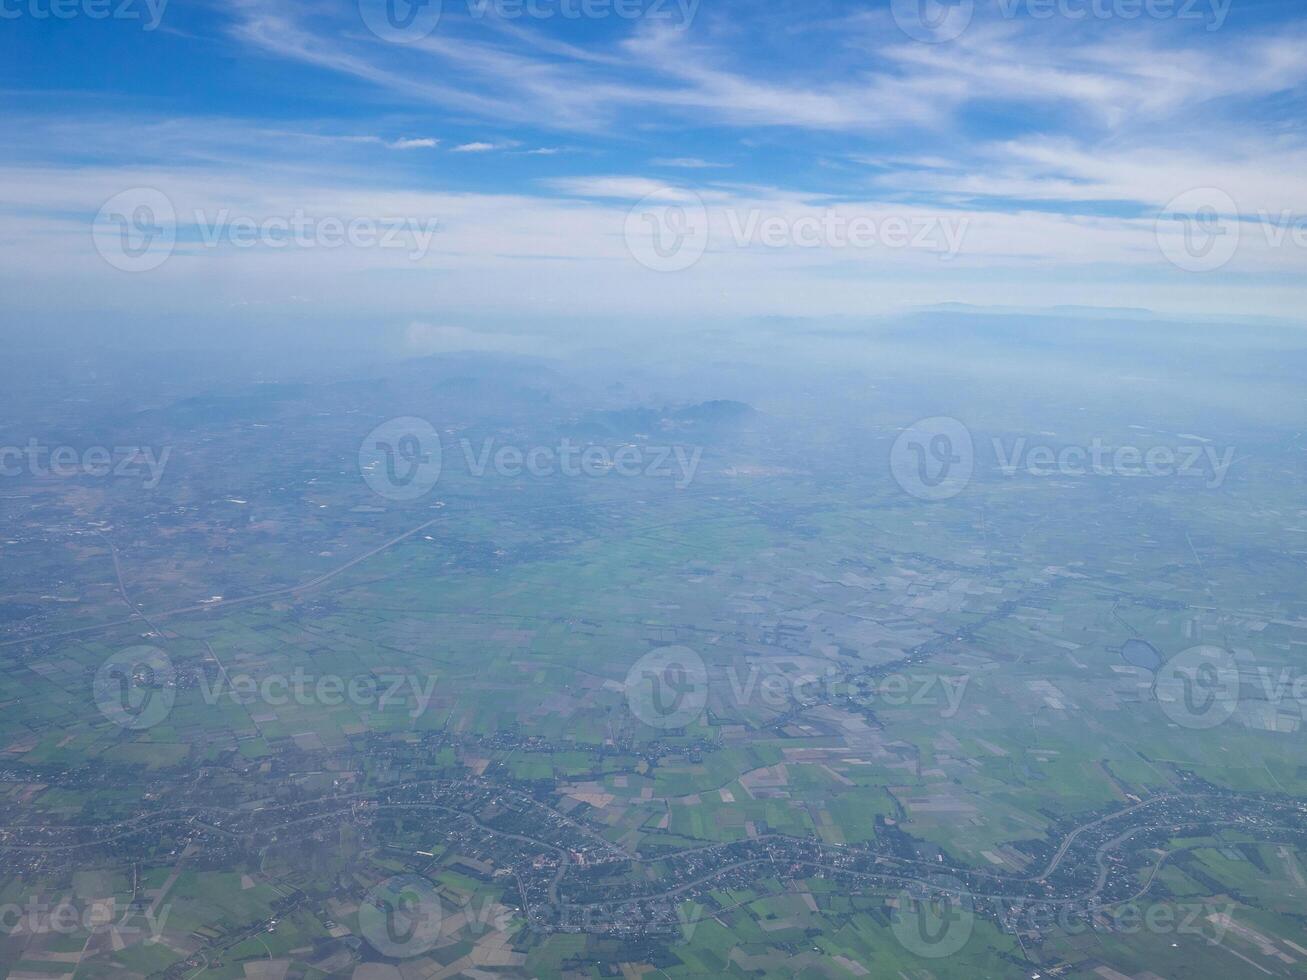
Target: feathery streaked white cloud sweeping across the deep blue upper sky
[{"x": 1114, "y": 79}]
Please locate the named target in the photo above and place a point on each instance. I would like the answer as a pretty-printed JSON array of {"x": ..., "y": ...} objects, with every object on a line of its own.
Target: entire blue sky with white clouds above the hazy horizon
[{"x": 1050, "y": 135}]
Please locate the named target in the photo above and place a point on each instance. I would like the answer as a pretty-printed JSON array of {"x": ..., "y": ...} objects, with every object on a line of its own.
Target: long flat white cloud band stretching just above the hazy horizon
[{"x": 529, "y": 255}]
